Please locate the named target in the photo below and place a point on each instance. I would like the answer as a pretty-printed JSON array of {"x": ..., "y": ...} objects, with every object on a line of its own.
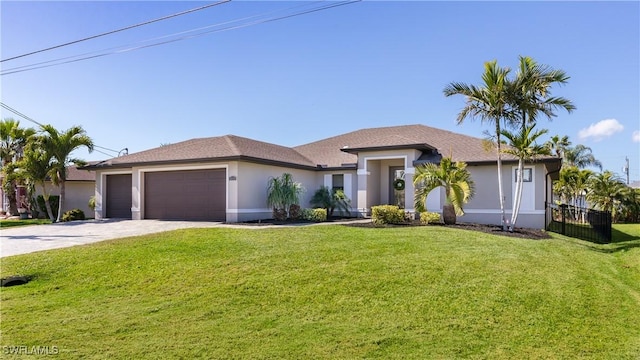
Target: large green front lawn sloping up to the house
[{"x": 329, "y": 292}]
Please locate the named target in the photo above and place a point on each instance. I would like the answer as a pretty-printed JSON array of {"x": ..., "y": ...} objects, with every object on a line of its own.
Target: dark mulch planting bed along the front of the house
[{"x": 523, "y": 233}]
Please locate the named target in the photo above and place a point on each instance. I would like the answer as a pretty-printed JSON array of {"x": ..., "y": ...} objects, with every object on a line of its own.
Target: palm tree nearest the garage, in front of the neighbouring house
[{"x": 60, "y": 145}]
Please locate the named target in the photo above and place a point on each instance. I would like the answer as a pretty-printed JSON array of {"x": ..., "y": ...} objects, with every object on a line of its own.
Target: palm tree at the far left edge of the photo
[{"x": 13, "y": 139}]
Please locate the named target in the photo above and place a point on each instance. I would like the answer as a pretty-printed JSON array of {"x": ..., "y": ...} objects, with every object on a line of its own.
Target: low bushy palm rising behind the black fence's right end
[{"x": 606, "y": 192}]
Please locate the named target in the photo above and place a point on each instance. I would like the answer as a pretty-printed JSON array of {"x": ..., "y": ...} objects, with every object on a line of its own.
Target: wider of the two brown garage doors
[{"x": 185, "y": 195}]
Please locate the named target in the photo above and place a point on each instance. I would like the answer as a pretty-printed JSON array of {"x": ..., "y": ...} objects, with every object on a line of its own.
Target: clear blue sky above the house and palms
[{"x": 304, "y": 78}]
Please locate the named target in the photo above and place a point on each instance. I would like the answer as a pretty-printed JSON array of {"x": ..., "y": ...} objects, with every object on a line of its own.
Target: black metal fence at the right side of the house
[{"x": 582, "y": 223}]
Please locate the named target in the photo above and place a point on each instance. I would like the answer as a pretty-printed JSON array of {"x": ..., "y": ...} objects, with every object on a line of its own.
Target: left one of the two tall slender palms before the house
[{"x": 490, "y": 103}]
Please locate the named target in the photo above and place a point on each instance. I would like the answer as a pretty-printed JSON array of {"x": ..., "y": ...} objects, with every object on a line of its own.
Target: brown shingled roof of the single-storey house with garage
[{"x": 334, "y": 152}]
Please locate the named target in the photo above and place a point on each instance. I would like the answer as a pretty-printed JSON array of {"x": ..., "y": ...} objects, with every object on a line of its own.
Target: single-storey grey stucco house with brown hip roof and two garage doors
[{"x": 225, "y": 178}]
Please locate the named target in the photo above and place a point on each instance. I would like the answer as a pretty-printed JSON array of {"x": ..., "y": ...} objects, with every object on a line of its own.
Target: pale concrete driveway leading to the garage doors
[{"x": 28, "y": 239}]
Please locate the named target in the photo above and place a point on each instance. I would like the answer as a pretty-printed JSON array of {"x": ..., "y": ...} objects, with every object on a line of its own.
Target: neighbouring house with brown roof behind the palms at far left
[{"x": 79, "y": 187}]
